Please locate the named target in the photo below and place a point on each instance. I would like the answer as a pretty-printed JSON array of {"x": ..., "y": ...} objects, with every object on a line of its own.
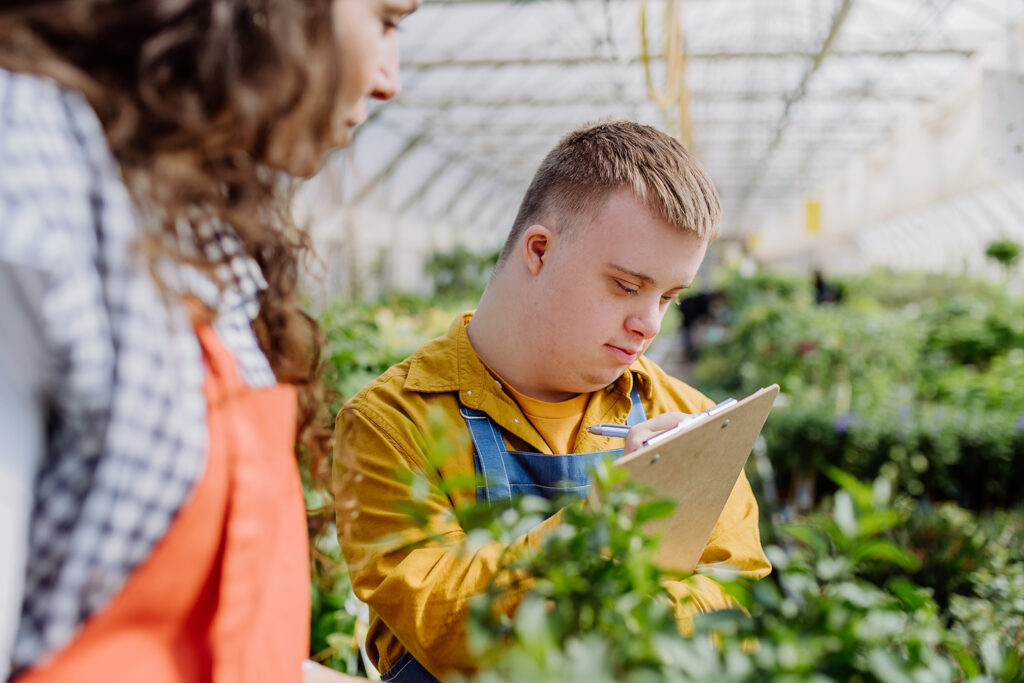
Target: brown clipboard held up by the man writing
[{"x": 698, "y": 467}]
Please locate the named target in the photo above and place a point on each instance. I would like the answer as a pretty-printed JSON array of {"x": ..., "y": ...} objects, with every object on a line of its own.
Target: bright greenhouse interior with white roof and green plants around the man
[{"x": 876, "y": 144}]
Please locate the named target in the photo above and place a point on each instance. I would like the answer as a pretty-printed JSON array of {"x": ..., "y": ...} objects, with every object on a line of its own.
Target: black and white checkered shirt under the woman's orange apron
[{"x": 120, "y": 374}]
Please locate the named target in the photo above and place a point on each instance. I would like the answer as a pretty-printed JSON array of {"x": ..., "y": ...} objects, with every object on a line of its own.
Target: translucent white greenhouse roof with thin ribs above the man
[{"x": 774, "y": 96}]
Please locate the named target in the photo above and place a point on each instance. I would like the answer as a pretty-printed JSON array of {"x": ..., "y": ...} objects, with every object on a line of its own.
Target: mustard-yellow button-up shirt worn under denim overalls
[{"x": 418, "y": 588}]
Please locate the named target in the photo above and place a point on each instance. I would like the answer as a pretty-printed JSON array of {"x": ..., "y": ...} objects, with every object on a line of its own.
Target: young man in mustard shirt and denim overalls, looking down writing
[{"x": 613, "y": 228}]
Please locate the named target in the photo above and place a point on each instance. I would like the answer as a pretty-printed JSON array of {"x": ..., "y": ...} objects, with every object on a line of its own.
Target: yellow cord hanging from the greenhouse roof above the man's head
[{"x": 674, "y": 101}]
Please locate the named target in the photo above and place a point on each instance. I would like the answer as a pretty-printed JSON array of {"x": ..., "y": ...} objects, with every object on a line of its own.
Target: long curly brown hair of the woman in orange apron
[{"x": 200, "y": 101}]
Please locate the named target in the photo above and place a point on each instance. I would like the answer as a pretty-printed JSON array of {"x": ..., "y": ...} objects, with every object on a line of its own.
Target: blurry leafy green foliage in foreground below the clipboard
[{"x": 596, "y": 611}]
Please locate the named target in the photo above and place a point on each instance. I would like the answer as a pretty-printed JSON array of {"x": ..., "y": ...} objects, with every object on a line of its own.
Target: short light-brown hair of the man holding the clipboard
[{"x": 598, "y": 159}]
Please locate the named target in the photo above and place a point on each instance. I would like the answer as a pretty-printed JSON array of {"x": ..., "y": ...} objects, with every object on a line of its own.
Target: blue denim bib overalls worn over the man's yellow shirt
[{"x": 521, "y": 474}]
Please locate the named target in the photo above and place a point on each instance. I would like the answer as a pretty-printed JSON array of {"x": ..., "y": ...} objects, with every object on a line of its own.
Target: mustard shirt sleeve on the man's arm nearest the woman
[{"x": 418, "y": 582}]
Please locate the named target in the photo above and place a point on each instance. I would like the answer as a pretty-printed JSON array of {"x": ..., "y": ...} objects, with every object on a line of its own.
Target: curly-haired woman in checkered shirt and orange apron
[{"x": 153, "y": 520}]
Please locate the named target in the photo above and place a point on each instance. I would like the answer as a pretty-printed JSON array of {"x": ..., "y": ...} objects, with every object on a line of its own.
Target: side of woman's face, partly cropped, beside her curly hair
[{"x": 367, "y": 32}]
